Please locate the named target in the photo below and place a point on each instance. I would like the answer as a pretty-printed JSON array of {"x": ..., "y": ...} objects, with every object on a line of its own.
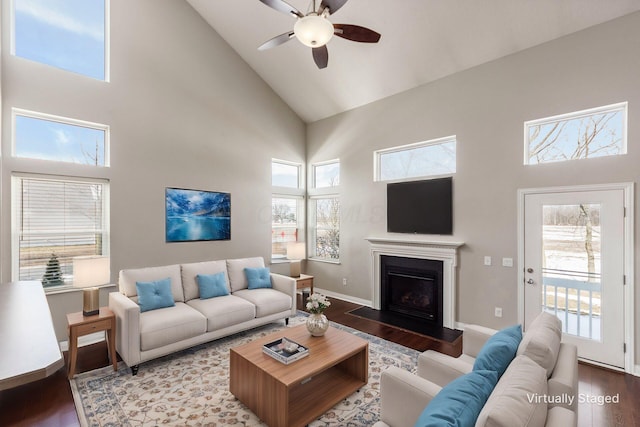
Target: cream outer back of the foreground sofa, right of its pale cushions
[{"x": 564, "y": 378}]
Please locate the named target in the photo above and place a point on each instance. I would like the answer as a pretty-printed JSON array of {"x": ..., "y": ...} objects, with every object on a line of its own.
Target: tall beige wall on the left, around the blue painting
[{"x": 185, "y": 111}]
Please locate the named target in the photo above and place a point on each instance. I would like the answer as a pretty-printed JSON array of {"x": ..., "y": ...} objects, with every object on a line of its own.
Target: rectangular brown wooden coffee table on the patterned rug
[{"x": 298, "y": 393}]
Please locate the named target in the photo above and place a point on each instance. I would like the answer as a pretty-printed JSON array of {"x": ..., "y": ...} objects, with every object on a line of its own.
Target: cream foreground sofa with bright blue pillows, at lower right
[{"x": 534, "y": 383}]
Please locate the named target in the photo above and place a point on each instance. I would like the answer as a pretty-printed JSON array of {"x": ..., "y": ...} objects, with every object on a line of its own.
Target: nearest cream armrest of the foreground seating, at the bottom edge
[{"x": 403, "y": 396}]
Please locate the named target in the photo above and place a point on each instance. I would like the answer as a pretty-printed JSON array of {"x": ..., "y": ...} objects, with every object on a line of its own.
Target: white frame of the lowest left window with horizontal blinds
[{"x": 16, "y": 180}]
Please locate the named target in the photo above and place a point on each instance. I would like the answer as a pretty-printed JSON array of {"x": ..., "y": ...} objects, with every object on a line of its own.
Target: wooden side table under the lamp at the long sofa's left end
[{"x": 79, "y": 325}]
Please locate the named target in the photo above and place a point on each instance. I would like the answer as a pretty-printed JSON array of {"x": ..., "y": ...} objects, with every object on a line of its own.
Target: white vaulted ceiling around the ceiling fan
[{"x": 422, "y": 41}]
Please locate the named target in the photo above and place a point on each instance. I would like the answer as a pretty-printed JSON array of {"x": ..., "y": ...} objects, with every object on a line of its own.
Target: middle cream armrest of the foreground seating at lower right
[{"x": 441, "y": 369}]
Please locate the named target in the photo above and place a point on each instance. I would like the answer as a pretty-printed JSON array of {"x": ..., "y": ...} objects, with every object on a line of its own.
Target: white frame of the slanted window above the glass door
[{"x": 623, "y": 107}]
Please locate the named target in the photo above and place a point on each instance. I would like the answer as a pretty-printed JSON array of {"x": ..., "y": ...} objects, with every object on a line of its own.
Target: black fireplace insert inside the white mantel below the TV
[{"x": 412, "y": 287}]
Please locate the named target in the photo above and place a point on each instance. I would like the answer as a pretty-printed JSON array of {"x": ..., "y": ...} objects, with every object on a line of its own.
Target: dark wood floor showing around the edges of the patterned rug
[{"x": 49, "y": 402}]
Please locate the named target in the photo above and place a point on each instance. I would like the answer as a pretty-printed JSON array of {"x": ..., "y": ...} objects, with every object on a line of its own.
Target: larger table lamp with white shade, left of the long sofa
[{"x": 88, "y": 273}]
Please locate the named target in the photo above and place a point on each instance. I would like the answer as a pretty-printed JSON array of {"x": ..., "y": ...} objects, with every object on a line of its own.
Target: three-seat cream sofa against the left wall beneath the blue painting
[{"x": 142, "y": 336}]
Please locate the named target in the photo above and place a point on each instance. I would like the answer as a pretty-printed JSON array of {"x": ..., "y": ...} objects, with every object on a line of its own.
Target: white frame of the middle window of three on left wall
[{"x": 62, "y": 120}]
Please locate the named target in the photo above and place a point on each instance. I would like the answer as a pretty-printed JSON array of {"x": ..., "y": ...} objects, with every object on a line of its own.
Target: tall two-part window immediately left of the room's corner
[{"x": 287, "y": 206}]
